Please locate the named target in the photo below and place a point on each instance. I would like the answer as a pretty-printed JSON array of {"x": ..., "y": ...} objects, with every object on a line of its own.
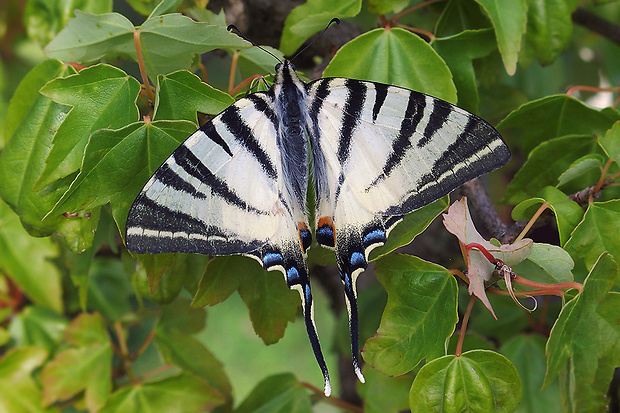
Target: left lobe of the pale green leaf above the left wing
[{"x": 88, "y": 38}]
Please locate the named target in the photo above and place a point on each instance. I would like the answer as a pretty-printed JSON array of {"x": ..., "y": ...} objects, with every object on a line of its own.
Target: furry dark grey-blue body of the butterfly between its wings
[{"x": 290, "y": 102}]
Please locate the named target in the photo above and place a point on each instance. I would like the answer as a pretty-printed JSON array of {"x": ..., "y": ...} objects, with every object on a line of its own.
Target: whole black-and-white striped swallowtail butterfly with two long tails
[{"x": 372, "y": 152}]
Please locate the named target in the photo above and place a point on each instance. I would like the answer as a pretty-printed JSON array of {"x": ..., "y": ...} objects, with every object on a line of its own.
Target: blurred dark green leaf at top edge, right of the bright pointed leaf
[{"x": 549, "y": 30}]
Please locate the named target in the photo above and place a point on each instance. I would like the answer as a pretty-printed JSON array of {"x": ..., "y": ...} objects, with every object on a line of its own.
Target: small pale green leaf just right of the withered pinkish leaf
[{"x": 546, "y": 264}]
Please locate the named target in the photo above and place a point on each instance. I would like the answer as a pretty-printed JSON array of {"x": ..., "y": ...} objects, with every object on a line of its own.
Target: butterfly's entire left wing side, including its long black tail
[{"x": 225, "y": 191}]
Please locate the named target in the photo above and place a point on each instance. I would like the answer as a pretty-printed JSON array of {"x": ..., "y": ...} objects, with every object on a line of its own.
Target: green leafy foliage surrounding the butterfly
[{"x": 101, "y": 93}]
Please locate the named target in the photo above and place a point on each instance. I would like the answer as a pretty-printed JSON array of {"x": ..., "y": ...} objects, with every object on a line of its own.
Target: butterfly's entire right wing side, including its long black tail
[{"x": 380, "y": 152}]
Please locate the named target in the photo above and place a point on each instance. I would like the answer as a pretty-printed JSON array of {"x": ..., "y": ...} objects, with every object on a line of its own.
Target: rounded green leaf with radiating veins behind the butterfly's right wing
[{"x": 395, "y": 57}]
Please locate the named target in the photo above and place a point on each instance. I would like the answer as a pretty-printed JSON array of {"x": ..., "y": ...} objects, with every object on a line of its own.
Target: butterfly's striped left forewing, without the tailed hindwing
[{"x": 218, "y": 193}]
